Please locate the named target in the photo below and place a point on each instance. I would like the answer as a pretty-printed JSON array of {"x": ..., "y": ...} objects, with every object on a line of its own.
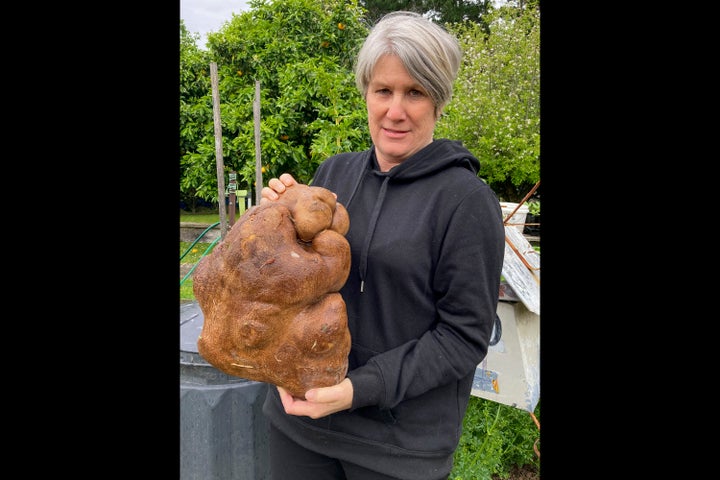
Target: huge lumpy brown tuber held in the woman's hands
[{"x": 269, "y": 293}]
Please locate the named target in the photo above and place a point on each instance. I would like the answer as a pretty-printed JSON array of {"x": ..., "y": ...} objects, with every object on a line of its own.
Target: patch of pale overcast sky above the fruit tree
[{"x": 203, "y": 16}]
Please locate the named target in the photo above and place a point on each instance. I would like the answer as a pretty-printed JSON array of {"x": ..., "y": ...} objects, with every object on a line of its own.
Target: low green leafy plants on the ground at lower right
[{"x": 495, "y": 438}]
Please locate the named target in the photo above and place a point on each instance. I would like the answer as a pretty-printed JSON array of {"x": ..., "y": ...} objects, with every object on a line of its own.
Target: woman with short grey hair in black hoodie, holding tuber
[{"x": 427, "y": 245}]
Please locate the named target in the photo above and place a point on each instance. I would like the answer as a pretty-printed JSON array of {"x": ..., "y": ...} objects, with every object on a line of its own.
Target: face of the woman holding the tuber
[{"x": 401, "y": 115}]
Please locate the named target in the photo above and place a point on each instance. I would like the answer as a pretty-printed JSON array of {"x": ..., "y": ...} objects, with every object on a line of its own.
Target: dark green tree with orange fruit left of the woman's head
[{"x": 302, "y": 53}]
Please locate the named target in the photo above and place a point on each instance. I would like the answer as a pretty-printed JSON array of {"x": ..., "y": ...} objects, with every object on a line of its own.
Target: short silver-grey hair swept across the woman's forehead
[{"x": 430, "y": 54}]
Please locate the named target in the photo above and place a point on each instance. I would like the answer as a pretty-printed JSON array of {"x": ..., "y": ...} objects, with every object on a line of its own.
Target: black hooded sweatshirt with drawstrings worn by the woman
[{"x": 427, "y": 242}]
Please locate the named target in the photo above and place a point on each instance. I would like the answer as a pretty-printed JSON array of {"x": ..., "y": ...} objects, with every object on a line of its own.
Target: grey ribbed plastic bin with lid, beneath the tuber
[{"x": 223, "y": 433}]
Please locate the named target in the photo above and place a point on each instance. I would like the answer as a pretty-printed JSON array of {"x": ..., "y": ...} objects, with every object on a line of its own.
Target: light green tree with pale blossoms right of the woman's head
[{"x": 495, "y": 109}]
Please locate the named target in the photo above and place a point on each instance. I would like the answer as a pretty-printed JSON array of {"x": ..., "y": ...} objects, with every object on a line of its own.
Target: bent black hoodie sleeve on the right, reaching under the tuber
[{"x": 466, "y": 289}]
